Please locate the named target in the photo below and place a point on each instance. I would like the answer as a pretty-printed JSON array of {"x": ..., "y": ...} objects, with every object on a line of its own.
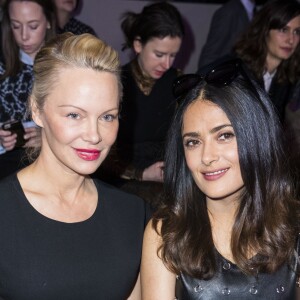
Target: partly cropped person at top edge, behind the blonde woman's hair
[{"x": 66, "y": 22}]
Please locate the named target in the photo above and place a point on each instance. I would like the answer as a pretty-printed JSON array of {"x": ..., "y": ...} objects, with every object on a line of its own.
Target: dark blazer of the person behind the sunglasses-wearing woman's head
[{"x": 228, "y": 22}]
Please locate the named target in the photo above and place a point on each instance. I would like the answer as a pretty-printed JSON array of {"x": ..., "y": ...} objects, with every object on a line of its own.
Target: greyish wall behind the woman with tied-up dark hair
[{"x": 104, "y": 17}]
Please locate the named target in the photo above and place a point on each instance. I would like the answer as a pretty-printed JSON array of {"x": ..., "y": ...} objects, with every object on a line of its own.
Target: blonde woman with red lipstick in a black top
[{"x": 65, "y": 235}]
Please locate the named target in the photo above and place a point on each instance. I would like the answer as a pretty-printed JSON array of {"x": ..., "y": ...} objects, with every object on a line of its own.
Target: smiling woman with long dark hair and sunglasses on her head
[{"x": 229, "y": 225}]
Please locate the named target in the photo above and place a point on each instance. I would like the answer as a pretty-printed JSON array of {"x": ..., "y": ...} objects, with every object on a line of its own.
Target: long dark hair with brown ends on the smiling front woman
[{"x": 267, "y": 218}]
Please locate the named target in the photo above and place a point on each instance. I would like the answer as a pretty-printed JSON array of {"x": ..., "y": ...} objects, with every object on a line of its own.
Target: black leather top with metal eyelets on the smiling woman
[{"x": 230, "y": 283}]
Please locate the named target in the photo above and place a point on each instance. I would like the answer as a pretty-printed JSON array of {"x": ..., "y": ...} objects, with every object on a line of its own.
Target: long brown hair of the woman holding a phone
[{"x": 10, "y": 48}]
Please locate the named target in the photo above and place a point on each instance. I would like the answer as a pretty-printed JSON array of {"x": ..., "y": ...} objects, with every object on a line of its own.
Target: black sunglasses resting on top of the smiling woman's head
[{"x": 221, "y": 75}]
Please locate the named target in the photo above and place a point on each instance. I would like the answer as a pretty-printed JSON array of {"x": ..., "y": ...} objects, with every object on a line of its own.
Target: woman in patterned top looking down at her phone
[{"x": 26, "y": 25}]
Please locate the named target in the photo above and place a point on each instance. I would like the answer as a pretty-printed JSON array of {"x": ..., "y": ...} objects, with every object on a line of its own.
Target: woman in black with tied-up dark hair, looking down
[{"x": 155, "y": 35}]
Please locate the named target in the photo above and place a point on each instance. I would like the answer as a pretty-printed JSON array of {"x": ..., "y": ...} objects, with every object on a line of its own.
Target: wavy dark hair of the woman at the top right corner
[{"x": 252, "y": 47}]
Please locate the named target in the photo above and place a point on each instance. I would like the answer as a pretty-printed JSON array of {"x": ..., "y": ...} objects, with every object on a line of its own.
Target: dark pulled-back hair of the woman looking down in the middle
[{"x": 156, "y": 20}]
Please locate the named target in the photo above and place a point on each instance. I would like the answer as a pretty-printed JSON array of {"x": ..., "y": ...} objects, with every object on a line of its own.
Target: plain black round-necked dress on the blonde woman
[{"x": 44, "y": 259}]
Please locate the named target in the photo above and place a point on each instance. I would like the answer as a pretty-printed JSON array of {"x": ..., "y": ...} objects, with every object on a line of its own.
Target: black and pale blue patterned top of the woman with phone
[{"x": 14, "y": 92}]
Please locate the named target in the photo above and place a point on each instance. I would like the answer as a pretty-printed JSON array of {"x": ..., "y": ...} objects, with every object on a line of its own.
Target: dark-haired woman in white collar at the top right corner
[{"x": 270, "y": 49}]
